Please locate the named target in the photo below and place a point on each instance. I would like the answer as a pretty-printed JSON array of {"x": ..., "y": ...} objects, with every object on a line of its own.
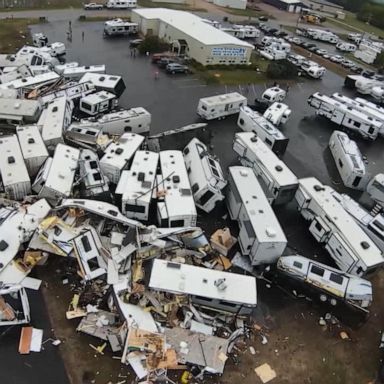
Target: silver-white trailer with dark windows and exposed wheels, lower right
[{"x": 328, "y": 284}]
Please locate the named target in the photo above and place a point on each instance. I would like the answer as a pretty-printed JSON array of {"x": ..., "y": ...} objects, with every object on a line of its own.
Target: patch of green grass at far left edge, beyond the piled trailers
[{"x": 14, "y": 33}]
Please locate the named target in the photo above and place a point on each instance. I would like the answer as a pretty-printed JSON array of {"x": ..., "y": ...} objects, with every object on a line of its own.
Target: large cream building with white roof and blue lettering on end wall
[{"x": 191, "y": 36}]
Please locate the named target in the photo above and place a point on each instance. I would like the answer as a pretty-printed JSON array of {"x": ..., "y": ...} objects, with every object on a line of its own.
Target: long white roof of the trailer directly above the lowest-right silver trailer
[{"x": 355, "y": 236}]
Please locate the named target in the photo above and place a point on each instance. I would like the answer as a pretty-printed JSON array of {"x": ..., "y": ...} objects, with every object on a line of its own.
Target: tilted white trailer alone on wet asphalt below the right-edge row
[{"x": 349, "y": 161}]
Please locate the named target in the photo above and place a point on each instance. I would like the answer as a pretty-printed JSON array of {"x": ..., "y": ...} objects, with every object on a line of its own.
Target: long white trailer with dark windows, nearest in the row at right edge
[{"x": 345, "y": 116}]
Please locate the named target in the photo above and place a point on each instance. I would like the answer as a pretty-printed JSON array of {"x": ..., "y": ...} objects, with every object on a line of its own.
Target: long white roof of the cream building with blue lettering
[{"x": 192, "y": 25}]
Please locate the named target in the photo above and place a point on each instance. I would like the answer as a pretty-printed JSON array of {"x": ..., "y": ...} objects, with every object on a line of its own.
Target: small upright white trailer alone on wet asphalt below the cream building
[{"x": 219, "y": 106}]
